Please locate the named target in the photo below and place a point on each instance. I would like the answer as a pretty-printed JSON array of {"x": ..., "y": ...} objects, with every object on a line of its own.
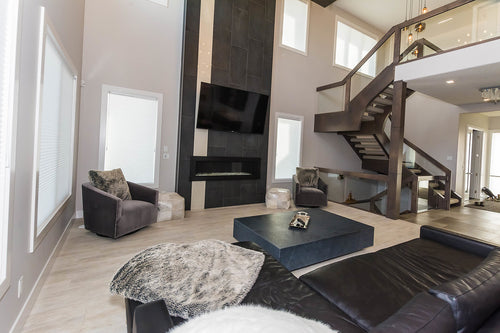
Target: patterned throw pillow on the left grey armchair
[{"x": 112, "y": 182}]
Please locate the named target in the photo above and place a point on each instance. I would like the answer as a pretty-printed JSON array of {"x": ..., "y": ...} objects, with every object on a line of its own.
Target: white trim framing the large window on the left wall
[{"x": 46, "y": 29}]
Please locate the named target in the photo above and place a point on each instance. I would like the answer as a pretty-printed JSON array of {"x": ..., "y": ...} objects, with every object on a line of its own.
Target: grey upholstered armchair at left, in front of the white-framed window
[{"x": 110, "y": 216}]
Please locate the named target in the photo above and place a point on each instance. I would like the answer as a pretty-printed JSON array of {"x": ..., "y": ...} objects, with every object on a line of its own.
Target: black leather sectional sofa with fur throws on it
[{"x": 440, "y": 282}]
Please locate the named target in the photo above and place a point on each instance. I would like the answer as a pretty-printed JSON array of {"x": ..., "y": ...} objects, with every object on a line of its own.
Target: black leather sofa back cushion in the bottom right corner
[{"x": 474, "y": 296}]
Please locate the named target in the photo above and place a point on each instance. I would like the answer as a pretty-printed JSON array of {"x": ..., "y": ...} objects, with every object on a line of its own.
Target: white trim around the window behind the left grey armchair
[{"x": 106, "y": 90}]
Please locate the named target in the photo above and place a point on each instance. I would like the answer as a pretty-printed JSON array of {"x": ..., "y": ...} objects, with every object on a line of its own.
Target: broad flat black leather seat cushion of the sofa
[{"x": 391, "y": 277}]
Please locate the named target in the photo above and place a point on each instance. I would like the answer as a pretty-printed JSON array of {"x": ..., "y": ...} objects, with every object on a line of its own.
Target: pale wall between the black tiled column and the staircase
[{"x": 294, "y": 83}]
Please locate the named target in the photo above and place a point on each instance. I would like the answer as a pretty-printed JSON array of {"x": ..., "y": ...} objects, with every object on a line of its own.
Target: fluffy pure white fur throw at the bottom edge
[{"x": 251, "y": 319}]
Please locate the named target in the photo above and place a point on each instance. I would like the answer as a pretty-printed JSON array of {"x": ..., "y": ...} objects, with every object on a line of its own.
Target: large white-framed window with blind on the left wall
[{"x": 54, "y": 132}]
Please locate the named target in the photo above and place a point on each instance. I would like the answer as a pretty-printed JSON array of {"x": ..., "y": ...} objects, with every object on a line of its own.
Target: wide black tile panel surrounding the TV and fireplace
[{"x": 242, "y": 58}]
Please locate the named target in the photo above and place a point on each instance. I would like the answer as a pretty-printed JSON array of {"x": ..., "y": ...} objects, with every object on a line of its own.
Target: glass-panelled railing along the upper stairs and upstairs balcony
[{"x": 459, "y": 24}]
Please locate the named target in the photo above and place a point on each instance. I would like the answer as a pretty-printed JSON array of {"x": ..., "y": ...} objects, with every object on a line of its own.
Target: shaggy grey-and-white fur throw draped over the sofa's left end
[{"x": 192, "y": 278}]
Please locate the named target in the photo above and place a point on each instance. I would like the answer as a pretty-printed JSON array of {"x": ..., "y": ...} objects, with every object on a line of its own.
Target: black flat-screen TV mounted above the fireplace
[{"x": 233, "y": 110}]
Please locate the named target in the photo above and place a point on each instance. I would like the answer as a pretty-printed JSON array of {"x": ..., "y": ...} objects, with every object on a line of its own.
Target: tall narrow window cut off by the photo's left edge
[{"x": 8, "y": 36}]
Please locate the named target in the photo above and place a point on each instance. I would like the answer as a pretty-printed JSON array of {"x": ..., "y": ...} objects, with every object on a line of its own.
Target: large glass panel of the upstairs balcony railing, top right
[{"x": 474, "y": 22}]
